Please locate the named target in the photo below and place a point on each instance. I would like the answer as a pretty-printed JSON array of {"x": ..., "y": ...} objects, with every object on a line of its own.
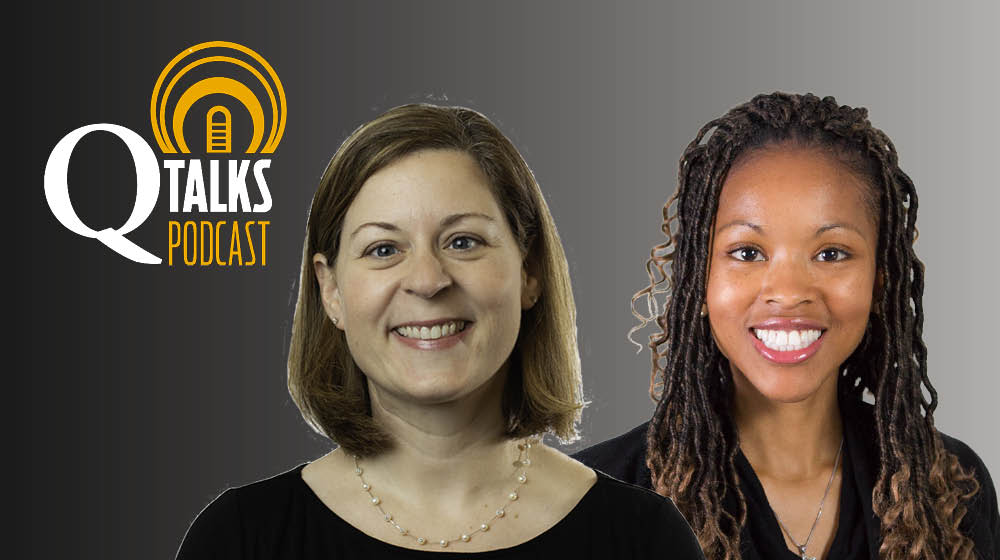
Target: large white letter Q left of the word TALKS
[{"x": 147, "y": 180}]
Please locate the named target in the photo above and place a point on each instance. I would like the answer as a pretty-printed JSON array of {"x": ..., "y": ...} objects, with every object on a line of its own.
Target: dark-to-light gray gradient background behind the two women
[{"x": 140, "y": 392}]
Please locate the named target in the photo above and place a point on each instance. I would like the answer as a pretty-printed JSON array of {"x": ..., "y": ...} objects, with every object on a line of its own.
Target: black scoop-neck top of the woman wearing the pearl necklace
[{"x": 281, "y": 518}]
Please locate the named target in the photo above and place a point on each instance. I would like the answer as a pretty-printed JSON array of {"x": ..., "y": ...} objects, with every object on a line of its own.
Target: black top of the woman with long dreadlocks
[{"x": 858, "y": 529}]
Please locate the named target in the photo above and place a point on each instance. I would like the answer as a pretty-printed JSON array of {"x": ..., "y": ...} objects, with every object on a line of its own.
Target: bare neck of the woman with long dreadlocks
[{"x": 788, "y": 440}]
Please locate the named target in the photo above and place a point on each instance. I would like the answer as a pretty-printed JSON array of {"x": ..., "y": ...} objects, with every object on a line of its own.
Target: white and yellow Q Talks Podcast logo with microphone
[{"x": 204, "y": 88}]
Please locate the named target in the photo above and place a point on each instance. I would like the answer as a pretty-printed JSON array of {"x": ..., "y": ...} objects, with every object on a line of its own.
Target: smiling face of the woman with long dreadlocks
[{"x": 792, "y": 271}]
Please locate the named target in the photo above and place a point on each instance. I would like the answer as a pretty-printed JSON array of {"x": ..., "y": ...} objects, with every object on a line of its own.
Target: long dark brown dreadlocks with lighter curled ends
[{"x": 921, "y": 490}]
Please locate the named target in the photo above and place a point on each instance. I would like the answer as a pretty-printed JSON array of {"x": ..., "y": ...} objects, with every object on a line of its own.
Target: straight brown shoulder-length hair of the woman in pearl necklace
[{"x": 543, "y": 390}]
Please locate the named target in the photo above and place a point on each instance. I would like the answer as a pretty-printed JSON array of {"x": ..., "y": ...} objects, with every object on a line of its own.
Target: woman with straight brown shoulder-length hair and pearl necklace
[{"x": 434, "y": 341}]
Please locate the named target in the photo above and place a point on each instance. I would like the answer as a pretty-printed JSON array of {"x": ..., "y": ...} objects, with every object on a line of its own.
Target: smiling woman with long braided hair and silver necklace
[{"x": 793, "y": 291}]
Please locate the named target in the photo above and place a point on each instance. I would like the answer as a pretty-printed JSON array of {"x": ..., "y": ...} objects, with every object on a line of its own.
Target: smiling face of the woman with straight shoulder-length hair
[{"x": 428, "y": 283}]
